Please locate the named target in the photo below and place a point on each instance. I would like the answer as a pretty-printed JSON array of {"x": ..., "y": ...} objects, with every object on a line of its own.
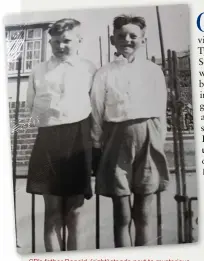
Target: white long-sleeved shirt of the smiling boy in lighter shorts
[{"x": 123, "y": 91}]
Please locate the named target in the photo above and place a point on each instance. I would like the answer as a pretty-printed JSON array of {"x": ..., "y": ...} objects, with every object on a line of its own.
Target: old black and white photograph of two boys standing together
[{"x": 101, "y": 128}]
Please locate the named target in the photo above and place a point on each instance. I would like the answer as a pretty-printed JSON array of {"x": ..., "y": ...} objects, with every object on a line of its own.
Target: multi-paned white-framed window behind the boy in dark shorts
[{"x": 28, "y": 44}]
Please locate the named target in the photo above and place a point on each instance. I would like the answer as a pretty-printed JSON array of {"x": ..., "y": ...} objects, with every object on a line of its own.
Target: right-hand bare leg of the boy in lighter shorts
[{"x": 142, "y": 218}]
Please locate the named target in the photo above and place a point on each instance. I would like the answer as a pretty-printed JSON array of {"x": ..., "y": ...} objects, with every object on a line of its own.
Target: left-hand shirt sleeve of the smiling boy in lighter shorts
[{"x": 98, "y": 107}]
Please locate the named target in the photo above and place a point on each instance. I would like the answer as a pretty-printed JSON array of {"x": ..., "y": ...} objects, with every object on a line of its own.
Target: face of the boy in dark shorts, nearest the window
[{"x": 65, "y": 44}]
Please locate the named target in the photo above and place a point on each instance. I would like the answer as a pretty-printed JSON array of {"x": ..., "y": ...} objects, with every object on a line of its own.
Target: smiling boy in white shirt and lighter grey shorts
[{"x": 129, "y": 98}]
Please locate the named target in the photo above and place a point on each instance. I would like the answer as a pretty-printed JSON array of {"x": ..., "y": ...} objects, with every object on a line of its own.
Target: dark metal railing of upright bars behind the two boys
[{"x": 184, "y": 209}]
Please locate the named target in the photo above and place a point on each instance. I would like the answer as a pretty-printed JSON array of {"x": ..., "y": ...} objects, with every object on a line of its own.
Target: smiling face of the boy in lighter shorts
[{"x": 128, "y": 39}]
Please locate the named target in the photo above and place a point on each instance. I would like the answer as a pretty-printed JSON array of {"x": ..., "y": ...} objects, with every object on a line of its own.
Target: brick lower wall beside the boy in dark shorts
[{"x": 26, "y": 133}]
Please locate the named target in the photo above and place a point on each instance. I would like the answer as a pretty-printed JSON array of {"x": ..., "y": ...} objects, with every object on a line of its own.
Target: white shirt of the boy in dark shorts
[{"x": 58, "y": 92}]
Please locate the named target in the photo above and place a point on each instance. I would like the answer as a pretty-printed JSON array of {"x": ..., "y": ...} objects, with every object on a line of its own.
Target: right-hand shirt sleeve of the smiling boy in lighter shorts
[{"x": 162, "y": 99}]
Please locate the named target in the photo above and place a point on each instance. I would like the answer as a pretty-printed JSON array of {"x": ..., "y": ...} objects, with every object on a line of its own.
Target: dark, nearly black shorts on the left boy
[{"x": 60, "y": 162}]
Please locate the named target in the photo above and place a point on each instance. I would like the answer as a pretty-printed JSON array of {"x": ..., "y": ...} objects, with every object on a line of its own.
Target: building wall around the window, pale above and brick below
[{"x": 26, "y": 133}]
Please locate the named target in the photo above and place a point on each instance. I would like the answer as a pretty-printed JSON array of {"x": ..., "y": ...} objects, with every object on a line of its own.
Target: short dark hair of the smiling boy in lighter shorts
[{"x": 121, "y": 20}]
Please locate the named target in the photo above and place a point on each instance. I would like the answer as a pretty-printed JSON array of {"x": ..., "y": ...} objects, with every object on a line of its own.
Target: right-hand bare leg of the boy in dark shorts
[{"x": 74, "y": 206}]
